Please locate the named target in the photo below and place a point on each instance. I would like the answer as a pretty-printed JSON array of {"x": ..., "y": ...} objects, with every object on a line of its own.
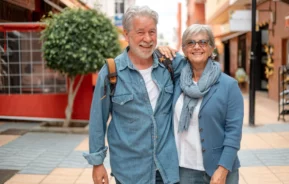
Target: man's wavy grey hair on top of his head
[{"x": 134, "y": 11}]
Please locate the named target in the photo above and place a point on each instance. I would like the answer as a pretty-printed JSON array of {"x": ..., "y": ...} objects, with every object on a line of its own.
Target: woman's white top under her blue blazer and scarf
[{"x": 188, "y": 142}]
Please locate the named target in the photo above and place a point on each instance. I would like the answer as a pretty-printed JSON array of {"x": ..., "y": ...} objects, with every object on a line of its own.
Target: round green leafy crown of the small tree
[{"x": 78, "y": 41}]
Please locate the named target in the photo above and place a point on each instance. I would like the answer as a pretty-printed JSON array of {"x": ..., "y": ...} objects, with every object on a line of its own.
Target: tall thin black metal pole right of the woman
[{"x": 252, "y": 68}]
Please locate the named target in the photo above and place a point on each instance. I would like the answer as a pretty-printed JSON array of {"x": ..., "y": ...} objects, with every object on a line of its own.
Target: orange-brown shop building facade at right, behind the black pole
[{"x": 231, "y": 22}]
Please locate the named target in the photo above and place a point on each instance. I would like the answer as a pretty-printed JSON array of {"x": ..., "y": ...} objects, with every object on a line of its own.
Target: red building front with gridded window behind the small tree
[{"x": 29, "y": 90}]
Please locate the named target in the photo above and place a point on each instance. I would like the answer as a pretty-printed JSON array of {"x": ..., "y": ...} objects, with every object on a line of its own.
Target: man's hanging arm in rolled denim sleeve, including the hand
[{"x": 99, "y": 113}]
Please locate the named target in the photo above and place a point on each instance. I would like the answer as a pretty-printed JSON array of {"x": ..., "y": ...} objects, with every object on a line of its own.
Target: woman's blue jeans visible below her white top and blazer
[{"x": 191, "y": 176}]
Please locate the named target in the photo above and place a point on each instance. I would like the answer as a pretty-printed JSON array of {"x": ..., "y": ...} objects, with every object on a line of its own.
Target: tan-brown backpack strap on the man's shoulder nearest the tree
[{"x": 112, "y": 74}]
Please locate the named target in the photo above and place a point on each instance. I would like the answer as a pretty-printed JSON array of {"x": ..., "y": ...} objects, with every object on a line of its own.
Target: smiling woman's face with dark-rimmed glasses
[{"x": 198, "y": 49}]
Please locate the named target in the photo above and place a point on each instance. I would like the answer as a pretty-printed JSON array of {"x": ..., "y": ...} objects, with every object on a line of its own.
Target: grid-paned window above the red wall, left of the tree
[{"x": 22, "y": 68}]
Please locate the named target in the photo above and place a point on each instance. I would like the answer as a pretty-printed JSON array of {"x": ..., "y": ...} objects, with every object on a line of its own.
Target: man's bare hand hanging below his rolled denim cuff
[{"x": 99, "y": 174}]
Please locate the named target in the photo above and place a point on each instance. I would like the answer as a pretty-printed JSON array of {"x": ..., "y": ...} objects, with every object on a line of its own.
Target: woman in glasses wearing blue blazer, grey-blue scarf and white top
[{"x": 208, "y": 114}]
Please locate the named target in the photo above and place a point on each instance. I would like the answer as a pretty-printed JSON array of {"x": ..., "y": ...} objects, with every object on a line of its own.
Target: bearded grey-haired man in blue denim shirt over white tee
[{"x": 140, "y": 134}]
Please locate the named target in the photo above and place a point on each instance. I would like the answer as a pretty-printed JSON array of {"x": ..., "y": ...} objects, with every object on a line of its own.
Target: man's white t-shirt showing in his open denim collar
[{"x": 152, "y": 88}]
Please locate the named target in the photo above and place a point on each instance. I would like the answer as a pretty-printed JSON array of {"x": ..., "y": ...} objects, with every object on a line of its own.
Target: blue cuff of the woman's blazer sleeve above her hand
[{"x": 228, "y": 157}]
